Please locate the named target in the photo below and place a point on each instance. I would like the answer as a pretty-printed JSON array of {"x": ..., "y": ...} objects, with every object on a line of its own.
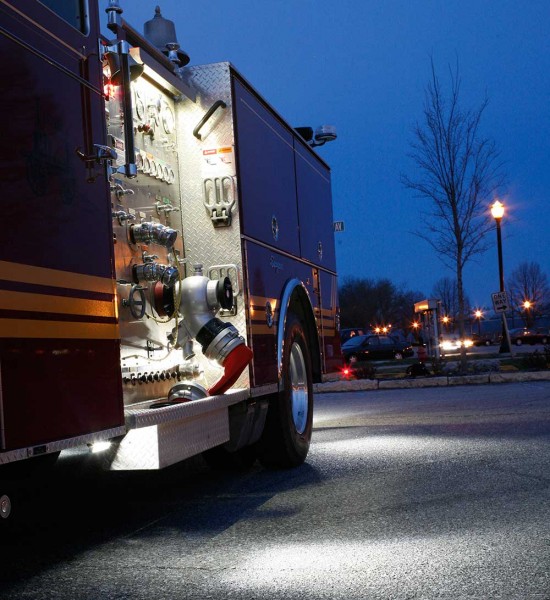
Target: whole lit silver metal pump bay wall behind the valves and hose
[{"x": 148, "y": 359}]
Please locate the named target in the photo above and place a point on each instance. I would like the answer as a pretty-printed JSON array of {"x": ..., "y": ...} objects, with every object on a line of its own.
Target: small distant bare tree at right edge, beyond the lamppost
[{"x": 528, "y": 283}]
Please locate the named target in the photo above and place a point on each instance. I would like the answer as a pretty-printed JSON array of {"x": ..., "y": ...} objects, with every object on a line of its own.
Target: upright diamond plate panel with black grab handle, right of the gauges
[{"x": 200, "y": 160}]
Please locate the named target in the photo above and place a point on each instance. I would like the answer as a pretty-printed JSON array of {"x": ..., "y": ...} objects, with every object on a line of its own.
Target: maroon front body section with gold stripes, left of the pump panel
[{"x": 59, "y": 349}]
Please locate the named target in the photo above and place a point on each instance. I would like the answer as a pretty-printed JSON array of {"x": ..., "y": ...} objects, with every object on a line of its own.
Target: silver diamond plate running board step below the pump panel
[{"x": 160, "y": 437}]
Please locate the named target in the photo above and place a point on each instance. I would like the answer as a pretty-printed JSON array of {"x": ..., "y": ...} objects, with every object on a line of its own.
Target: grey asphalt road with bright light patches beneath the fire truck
[{"x": 427, "y": 493}]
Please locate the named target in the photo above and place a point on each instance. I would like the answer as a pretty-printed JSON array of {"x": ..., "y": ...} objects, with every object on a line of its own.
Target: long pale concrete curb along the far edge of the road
[{"x": 353, "y": 385}]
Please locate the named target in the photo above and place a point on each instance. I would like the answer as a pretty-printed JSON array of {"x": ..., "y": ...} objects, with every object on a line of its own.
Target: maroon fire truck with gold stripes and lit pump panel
[{"x": 168, "y": 277}]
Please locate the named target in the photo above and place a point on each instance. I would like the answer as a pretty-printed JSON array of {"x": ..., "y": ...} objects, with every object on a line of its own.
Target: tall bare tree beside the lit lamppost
[{"x": 458, "y": 172}]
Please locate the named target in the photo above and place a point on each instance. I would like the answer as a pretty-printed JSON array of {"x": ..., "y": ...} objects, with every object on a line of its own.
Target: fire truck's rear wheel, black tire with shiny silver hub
[{"x": 287, "y": 433}]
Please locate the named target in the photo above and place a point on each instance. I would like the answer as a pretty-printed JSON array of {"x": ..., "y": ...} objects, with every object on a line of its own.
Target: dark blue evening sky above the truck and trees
[{"x": 362, "y": 65}]
